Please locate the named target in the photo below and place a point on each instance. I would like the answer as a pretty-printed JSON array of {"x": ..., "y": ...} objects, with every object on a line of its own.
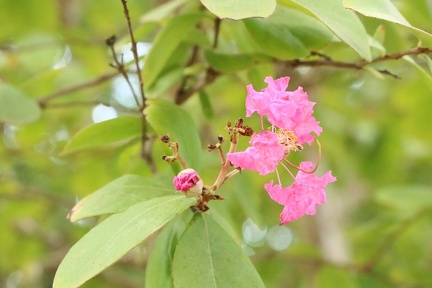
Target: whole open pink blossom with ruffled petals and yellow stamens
[{"x": 290, "y": 116}]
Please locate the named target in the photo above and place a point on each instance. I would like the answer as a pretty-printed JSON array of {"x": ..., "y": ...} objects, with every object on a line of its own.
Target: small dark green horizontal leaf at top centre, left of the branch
[{"x": 228, "y": 62}]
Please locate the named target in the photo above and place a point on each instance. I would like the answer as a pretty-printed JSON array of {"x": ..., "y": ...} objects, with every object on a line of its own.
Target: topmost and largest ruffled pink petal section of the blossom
[{"x": 290, "y": 110}]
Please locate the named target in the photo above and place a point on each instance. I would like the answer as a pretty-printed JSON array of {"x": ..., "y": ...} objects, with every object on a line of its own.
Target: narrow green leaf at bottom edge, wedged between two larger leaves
[{"x": 159, "y": 264}]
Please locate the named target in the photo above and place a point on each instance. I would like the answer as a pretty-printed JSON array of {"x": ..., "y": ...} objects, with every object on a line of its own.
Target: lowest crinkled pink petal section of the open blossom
[{"x": 302, "y": 196}]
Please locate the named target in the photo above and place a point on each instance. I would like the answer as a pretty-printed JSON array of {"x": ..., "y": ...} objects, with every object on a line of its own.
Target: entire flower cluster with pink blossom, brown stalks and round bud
[{"x": 292, "y": 124}]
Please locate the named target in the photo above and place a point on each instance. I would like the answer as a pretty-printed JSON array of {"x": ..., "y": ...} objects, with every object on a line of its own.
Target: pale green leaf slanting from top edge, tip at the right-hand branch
[{"x": 344, "y": 23}]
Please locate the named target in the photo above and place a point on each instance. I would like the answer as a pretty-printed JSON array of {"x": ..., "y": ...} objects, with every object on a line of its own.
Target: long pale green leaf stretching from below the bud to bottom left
[{"x": 114, "y": 237}]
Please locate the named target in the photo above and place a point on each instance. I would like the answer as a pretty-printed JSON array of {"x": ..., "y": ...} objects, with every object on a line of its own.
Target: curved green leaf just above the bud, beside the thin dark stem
[{"x": 168, "y": 118}]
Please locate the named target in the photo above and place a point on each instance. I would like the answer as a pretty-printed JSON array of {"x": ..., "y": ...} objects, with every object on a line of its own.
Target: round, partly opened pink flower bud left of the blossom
[{"x": 189, "y": 182}]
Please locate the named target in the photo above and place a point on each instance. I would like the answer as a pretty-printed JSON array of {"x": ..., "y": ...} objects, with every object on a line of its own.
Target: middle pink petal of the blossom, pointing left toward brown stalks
[{"x": 263, "y": 155}]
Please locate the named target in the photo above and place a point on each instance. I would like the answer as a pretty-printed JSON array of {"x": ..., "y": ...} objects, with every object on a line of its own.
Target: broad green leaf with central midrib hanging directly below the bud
[{"x": 207, "y": 256}]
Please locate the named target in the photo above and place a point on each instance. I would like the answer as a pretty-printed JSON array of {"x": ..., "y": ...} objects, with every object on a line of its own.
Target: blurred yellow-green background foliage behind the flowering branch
[{"x": 374, "y": 231}]
